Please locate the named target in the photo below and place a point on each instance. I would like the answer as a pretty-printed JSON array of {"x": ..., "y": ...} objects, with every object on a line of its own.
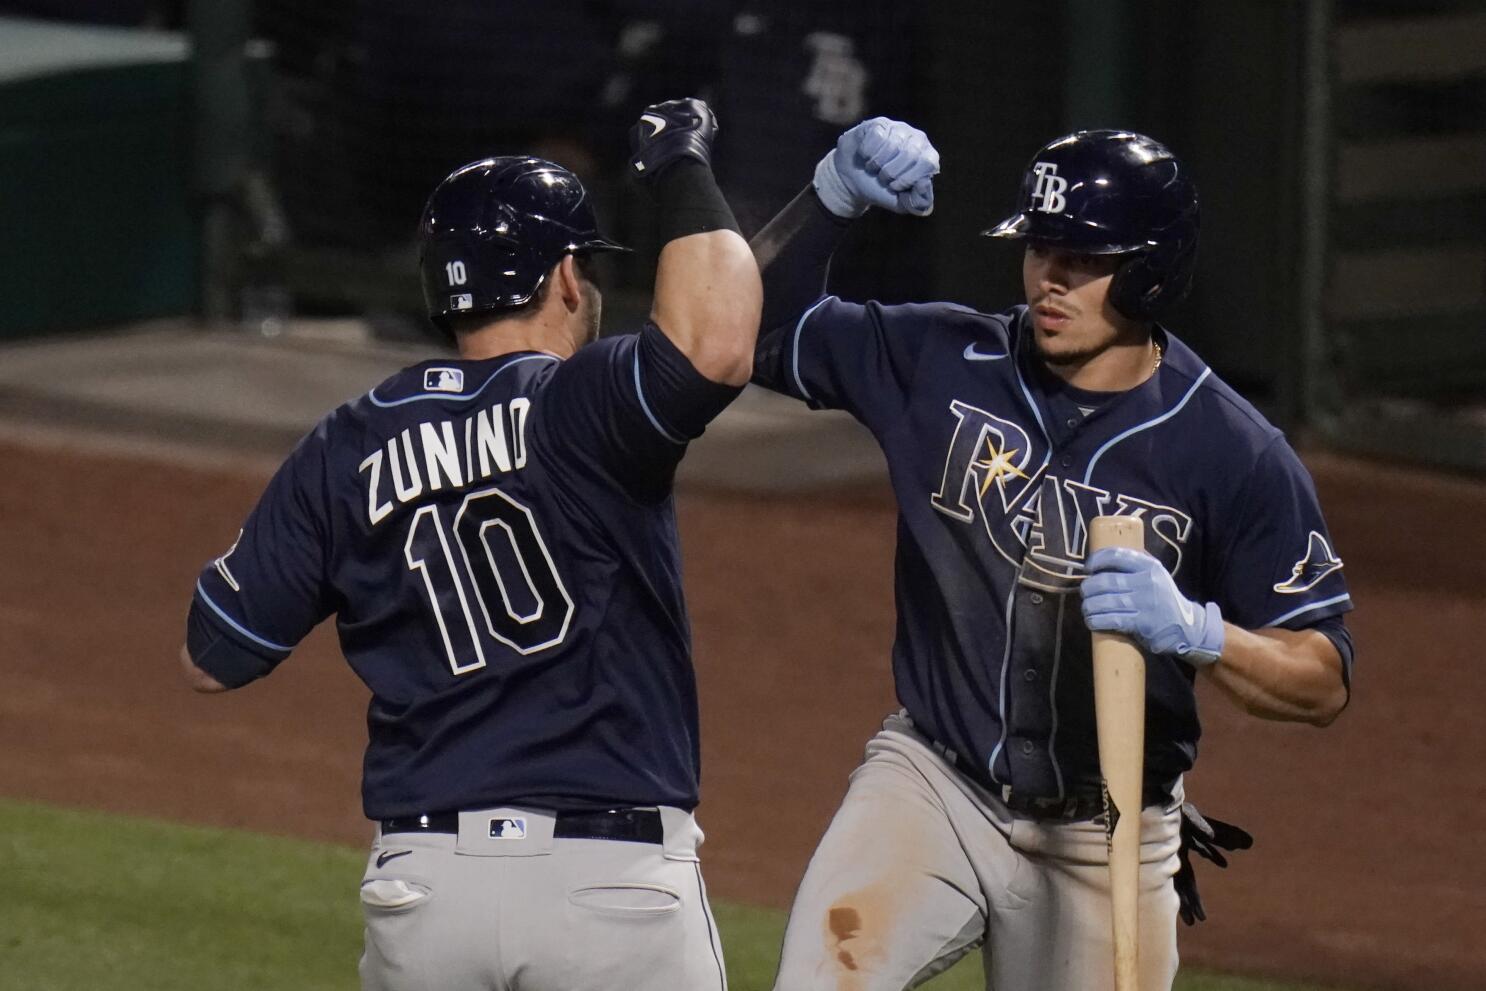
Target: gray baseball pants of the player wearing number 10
[{"x": 518, "y": 910}]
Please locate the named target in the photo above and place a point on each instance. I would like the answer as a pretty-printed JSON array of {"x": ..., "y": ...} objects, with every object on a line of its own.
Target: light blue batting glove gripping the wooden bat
[{"x": 1130, "y": 592}]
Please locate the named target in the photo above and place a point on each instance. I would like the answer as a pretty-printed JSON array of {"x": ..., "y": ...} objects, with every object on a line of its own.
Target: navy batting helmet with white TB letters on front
[{"x": 1114, "y": 192}]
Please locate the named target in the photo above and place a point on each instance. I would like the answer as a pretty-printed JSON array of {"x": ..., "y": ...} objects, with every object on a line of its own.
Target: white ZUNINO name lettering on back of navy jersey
[{"x": 441, "y": 455}]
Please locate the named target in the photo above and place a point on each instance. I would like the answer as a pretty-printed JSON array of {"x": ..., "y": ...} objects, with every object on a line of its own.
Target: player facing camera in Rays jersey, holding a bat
[{"x": 974, "y": 818}]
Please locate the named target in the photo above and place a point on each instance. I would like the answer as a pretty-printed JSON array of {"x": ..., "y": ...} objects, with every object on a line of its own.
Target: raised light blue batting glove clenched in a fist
[{"x": 879, "y": 163}]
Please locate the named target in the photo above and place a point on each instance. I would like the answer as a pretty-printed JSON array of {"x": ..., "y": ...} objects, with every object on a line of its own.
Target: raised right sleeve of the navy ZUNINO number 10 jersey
[{"x": 629, "y": 406}]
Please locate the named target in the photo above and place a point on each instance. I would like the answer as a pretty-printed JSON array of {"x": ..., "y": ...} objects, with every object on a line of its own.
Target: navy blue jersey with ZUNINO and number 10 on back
[{"x": 499, "y": 545}]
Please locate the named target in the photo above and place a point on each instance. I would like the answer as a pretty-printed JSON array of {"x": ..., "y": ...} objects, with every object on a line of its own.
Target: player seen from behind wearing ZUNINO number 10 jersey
[{"x": 496, "y": 536}]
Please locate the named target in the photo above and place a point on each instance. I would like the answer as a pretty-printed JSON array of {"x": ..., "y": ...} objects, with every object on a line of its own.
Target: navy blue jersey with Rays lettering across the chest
[{"x": 999, "y": 469}]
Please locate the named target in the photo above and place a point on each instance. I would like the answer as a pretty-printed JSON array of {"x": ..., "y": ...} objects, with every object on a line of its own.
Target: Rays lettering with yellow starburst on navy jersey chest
[{"x": 1036, "y": 521}]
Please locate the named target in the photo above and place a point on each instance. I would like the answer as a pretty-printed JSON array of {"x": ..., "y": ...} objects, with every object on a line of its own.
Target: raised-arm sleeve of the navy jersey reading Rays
[{"x": 855, "y": 357}]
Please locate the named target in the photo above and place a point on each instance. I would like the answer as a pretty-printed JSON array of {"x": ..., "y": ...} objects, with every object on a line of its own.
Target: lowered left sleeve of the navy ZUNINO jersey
[{"x": 271, "y": 588}]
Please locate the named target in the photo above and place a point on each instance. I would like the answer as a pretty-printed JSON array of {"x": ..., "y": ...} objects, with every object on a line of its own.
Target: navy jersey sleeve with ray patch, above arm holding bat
[{"x": 1282, "y": 568}]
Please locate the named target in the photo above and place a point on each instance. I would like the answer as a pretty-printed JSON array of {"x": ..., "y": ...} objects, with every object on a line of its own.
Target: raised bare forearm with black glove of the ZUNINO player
[{"x": 708, "y": 292}]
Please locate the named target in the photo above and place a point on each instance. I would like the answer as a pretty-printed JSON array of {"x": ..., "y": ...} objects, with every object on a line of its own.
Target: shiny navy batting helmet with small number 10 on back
[{"x": 494, "y": 230}]
